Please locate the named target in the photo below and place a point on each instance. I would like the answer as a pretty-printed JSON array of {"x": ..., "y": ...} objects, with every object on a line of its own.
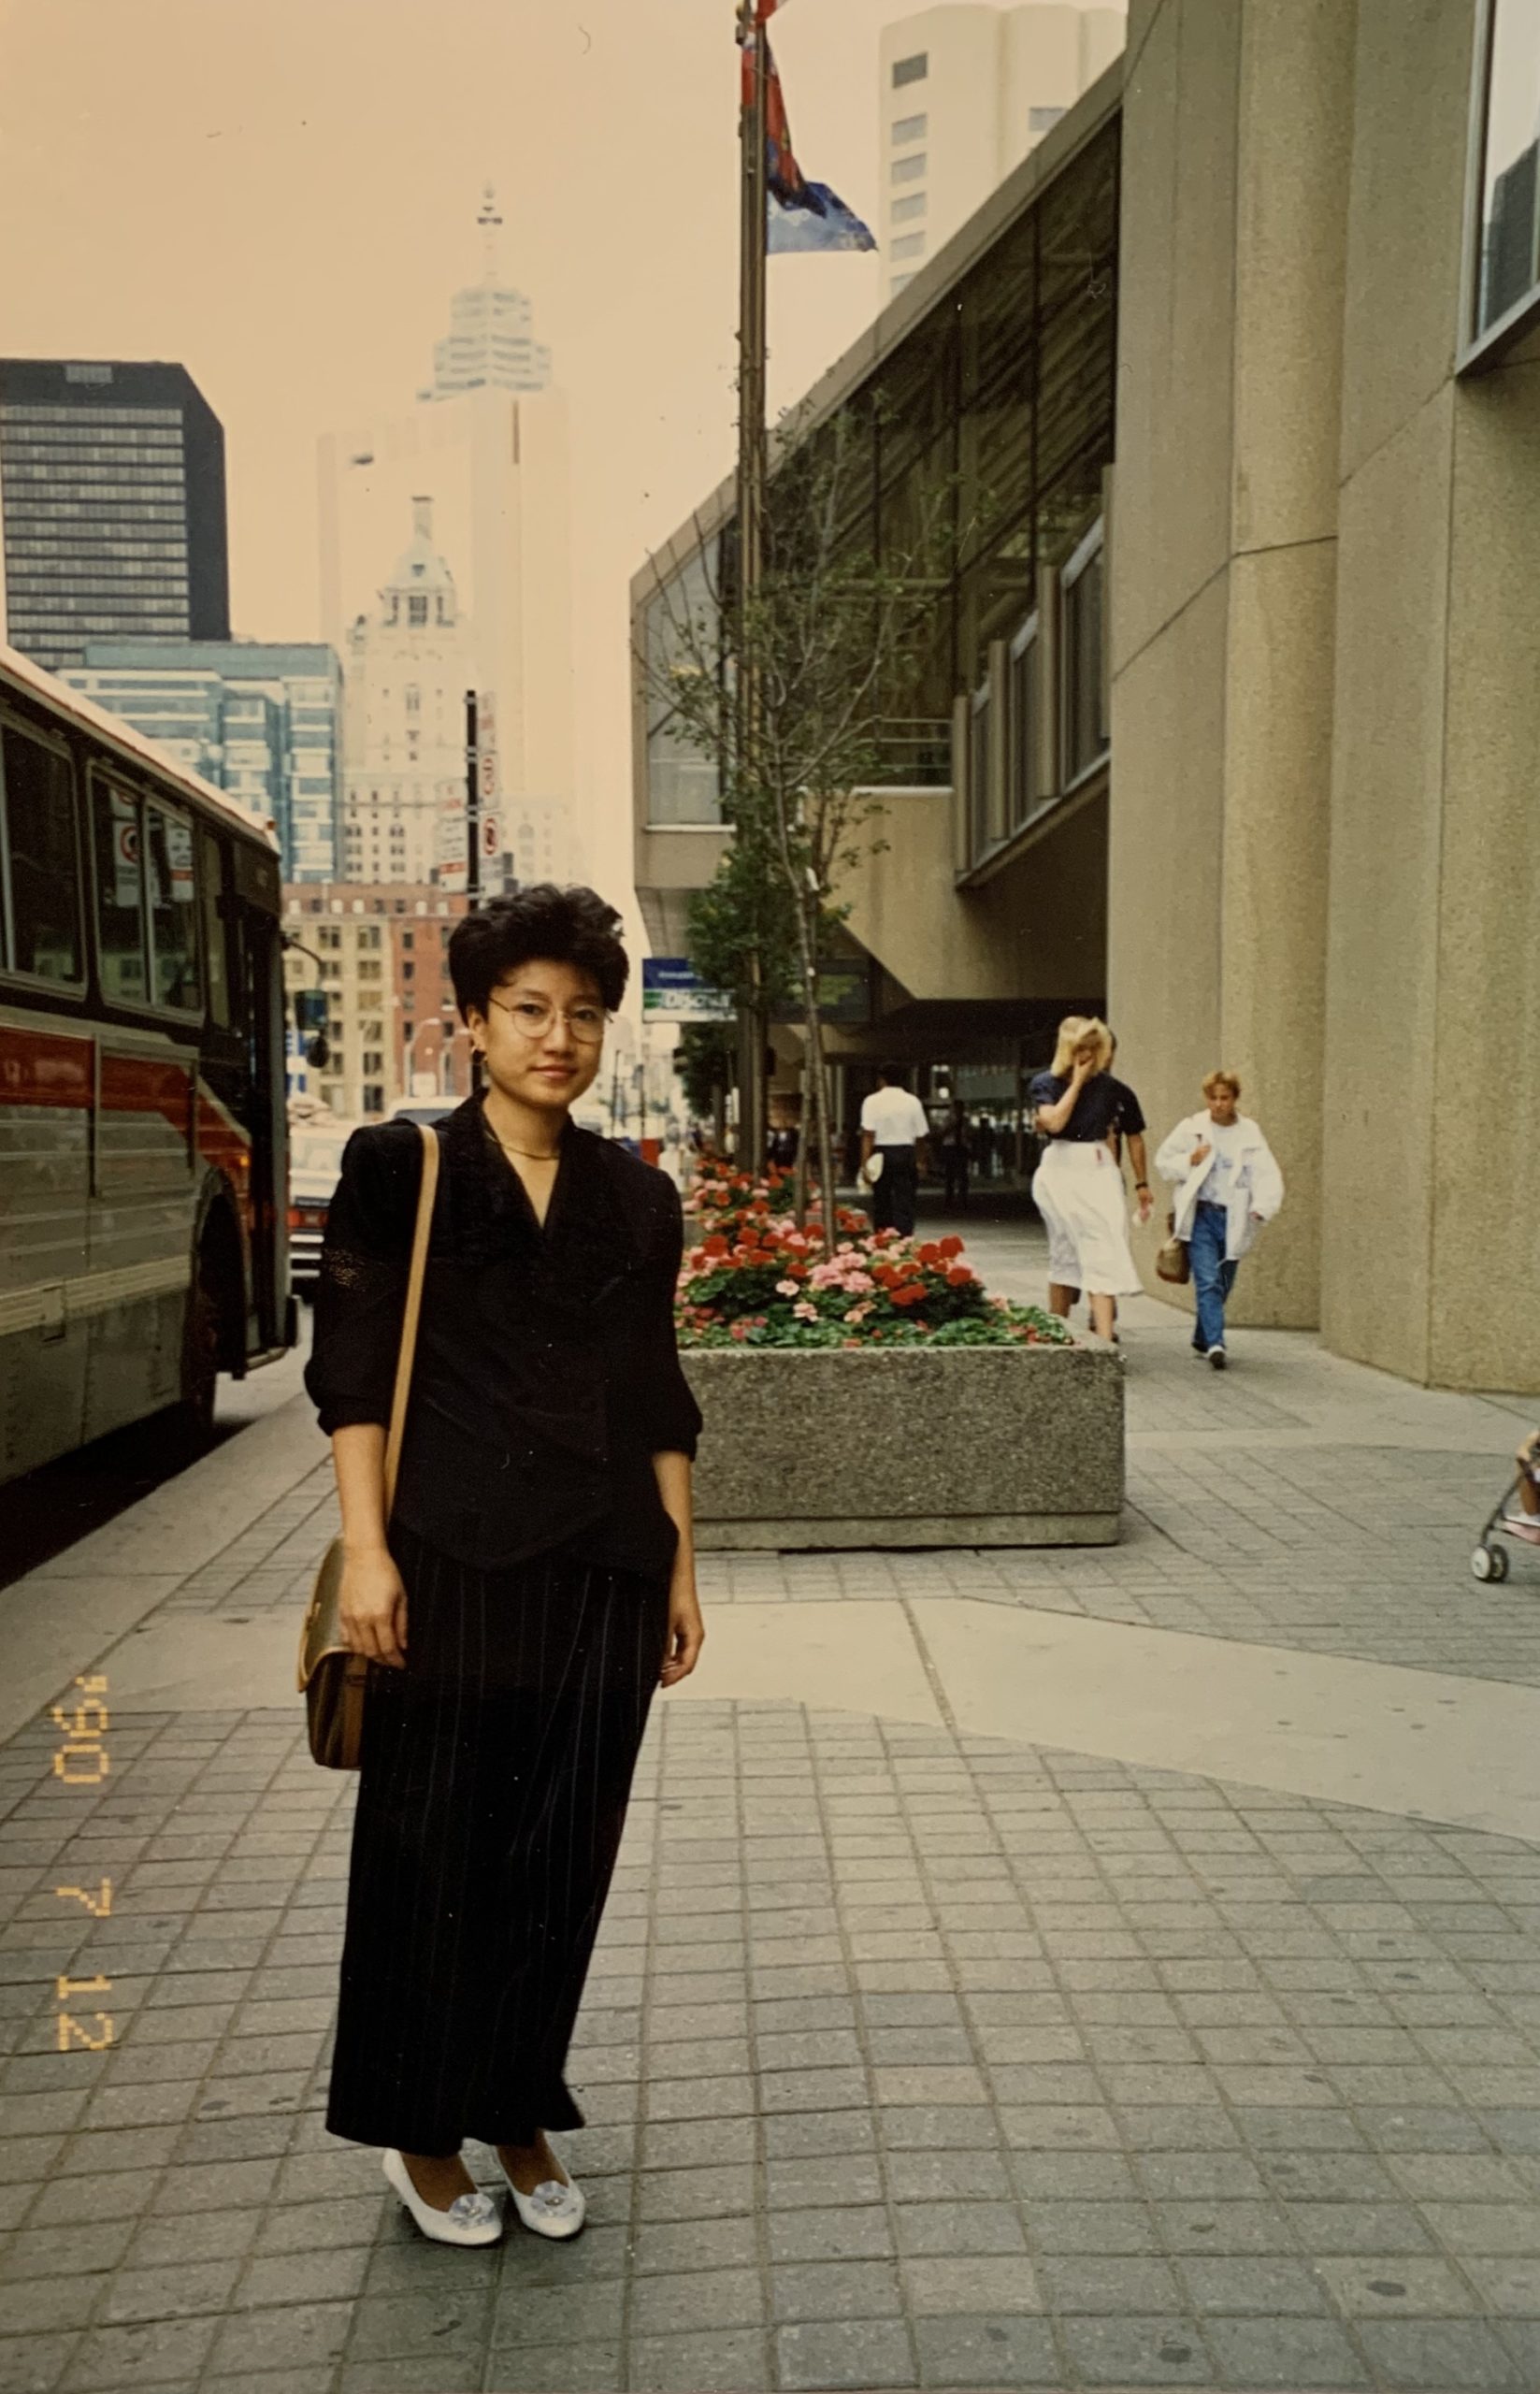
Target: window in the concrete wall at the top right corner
[{"x": 1505, "y": 176}]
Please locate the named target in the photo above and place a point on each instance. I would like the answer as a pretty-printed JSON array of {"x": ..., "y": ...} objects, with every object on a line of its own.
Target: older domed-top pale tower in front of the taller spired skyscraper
[{"x": 406, "y": 676}]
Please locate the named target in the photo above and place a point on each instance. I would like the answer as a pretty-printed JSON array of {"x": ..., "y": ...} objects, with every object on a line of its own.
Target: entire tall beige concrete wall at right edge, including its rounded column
[{"x": 1326, "y": 688}]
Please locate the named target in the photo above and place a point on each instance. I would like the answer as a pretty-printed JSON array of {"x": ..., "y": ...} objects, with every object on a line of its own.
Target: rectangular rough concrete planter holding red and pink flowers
[{"x": 947, "y": 1447}]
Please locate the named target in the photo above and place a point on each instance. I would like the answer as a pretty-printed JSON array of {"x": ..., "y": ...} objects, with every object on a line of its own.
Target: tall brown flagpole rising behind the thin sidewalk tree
[{"x": 751, "y": 499}]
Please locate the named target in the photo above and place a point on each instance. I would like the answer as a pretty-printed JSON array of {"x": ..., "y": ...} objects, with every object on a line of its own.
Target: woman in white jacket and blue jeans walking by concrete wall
[{"x": 1230, "y": 1186}]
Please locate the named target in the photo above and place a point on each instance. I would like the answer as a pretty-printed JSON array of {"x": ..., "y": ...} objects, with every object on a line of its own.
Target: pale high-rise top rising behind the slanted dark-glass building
[{"x": 966, "y": 92}]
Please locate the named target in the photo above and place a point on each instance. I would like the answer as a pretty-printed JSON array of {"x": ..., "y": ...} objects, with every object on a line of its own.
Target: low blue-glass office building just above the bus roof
[{"x": 257, "y": 719}]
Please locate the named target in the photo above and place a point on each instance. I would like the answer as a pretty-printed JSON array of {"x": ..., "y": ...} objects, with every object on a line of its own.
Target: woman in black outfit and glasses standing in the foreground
[{"x": 533, "y": 1586}]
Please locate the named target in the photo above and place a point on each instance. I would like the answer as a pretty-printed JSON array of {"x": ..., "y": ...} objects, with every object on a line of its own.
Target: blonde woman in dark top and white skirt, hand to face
[{"x": 1079, "y": 1186}]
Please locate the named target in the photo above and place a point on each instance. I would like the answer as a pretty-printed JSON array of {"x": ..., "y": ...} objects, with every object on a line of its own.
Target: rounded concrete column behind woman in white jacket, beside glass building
[{"x": 1237, "y": 140}]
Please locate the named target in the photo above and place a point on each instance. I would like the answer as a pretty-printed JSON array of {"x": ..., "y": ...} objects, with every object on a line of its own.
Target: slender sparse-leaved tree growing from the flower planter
[{"x": 827, "y": 645}]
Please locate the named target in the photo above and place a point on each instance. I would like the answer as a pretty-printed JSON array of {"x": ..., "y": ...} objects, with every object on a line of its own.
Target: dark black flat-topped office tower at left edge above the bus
[{"x": 114, "y": 502}]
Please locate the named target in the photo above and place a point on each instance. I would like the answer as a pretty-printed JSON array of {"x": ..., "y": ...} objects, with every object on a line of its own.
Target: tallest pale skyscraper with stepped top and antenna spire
[{"x": 487, "y": 444}]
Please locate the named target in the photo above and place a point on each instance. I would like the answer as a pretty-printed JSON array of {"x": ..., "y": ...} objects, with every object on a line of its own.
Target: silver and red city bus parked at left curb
[{"x": 143, "y": 1114}]
